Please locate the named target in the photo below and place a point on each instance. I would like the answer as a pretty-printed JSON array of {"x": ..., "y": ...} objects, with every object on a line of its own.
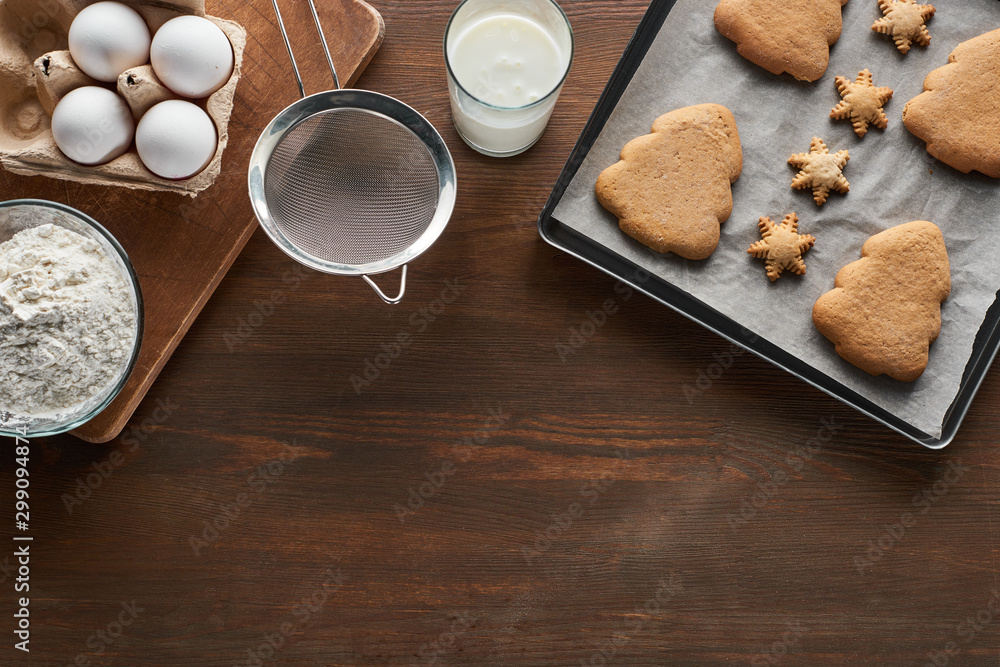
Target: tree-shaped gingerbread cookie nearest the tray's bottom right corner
[{"x": 886, "y": 308}]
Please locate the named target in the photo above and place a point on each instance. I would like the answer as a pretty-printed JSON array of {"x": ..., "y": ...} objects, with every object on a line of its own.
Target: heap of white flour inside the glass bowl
[{"x": 66, "y": 321}]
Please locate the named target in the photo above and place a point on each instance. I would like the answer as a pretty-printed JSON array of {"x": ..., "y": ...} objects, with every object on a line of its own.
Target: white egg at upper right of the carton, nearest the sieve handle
[{"x": 192, "y": 56}]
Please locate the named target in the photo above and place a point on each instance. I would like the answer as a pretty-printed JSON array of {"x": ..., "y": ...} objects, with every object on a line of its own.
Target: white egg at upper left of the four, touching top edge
[{"x": 107, "y": 38}]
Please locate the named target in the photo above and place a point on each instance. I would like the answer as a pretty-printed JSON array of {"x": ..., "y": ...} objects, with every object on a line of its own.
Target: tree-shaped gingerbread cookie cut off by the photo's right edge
[{"x": 957, "y": 114}]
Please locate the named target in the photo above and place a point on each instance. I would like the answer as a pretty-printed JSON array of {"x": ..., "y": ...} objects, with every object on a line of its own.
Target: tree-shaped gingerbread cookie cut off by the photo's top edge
[{"x": 791, "y": 36}]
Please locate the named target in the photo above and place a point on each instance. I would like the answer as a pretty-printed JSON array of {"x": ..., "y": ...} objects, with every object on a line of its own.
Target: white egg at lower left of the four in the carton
[{"x": 92, "y": 125}]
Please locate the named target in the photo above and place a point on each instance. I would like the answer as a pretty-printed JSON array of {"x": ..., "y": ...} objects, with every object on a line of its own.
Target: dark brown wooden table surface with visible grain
[{"x": 486, "y": 500}]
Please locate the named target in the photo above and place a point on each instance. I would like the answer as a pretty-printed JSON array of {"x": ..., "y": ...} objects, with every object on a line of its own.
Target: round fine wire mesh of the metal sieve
[{"x": 352, "y": 187}]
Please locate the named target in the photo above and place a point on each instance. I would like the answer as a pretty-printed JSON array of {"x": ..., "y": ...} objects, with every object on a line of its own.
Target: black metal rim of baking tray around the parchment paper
[{"x": 984, "y": 350}]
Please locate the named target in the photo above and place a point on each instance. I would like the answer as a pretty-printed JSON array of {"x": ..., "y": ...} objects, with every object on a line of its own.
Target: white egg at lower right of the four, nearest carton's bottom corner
[{"x": 176, "y": 139}]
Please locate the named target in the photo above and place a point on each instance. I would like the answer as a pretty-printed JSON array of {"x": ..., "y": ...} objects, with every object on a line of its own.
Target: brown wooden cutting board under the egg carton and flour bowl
[{"x": 183, "y": 247}]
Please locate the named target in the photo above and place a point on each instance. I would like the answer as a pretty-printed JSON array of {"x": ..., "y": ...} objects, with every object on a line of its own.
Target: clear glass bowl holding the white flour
[{"x": 21, "y": 214}]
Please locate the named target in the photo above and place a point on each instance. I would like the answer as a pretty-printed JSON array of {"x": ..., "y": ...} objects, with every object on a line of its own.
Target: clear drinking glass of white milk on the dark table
[{"x": 507, "y": 60}]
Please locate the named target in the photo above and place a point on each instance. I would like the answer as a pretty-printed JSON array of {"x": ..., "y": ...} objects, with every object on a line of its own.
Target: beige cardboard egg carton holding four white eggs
[{"x": 36, "y": 71}]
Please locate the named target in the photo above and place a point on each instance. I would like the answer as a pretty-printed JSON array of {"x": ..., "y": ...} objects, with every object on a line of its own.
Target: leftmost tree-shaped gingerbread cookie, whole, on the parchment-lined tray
[{"x": 671, "y": 189}]
